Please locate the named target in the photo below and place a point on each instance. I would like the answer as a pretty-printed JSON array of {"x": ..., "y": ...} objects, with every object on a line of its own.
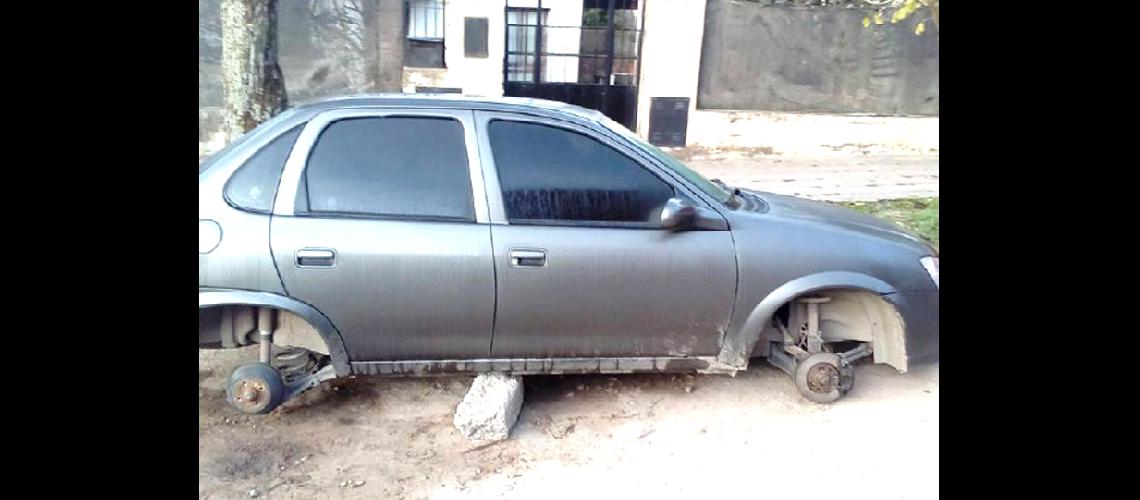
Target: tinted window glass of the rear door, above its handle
[{"x": 400, "y": 168}]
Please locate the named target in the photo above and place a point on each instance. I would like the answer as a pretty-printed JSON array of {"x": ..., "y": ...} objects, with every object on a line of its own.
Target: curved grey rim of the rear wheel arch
[{"x": 211, "y": 298}]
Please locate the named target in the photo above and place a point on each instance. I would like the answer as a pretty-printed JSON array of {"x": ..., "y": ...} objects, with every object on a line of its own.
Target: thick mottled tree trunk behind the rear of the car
[{"x": 254, "y": 84}]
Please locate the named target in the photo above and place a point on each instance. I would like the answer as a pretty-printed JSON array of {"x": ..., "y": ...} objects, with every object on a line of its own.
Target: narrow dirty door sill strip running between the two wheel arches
[{"x": 547, "y": 366}]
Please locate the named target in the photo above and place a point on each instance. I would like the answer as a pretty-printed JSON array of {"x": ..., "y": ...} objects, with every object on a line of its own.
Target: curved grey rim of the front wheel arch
[{"x": 738, "y": 343}]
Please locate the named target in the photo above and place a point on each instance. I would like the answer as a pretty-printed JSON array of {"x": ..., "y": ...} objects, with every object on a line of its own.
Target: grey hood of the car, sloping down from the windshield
[{"x": 827, "y": 216}]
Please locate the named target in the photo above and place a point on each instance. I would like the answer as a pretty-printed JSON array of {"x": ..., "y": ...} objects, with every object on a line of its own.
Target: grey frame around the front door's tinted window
[{"x": 498, "y": 204}]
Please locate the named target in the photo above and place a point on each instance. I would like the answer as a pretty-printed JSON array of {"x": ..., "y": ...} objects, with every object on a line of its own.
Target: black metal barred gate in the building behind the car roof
[{"x": 595, "y": 64}]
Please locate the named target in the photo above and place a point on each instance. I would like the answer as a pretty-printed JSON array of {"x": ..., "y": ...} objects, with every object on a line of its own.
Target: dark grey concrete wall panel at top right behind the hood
[{"x": 816, "y": 61}]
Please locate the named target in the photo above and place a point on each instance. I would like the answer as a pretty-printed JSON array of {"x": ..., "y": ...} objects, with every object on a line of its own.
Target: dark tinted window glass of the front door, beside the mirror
[{"x": 555, "y": 175}]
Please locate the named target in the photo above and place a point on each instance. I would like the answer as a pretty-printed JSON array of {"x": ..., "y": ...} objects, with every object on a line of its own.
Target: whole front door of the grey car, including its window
[{"x": 584, "y": 268}]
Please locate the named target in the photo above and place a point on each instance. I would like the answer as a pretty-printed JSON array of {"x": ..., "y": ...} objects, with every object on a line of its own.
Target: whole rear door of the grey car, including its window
[{"x": 385, "y": 235}]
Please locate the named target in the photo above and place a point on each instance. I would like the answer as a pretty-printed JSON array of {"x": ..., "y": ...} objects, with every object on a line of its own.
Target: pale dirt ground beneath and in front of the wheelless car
[{"x": 579, "y": 437}]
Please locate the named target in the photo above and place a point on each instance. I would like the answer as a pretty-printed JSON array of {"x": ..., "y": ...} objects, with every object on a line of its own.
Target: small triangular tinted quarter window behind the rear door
[{"x": 254, "y": 186}]
